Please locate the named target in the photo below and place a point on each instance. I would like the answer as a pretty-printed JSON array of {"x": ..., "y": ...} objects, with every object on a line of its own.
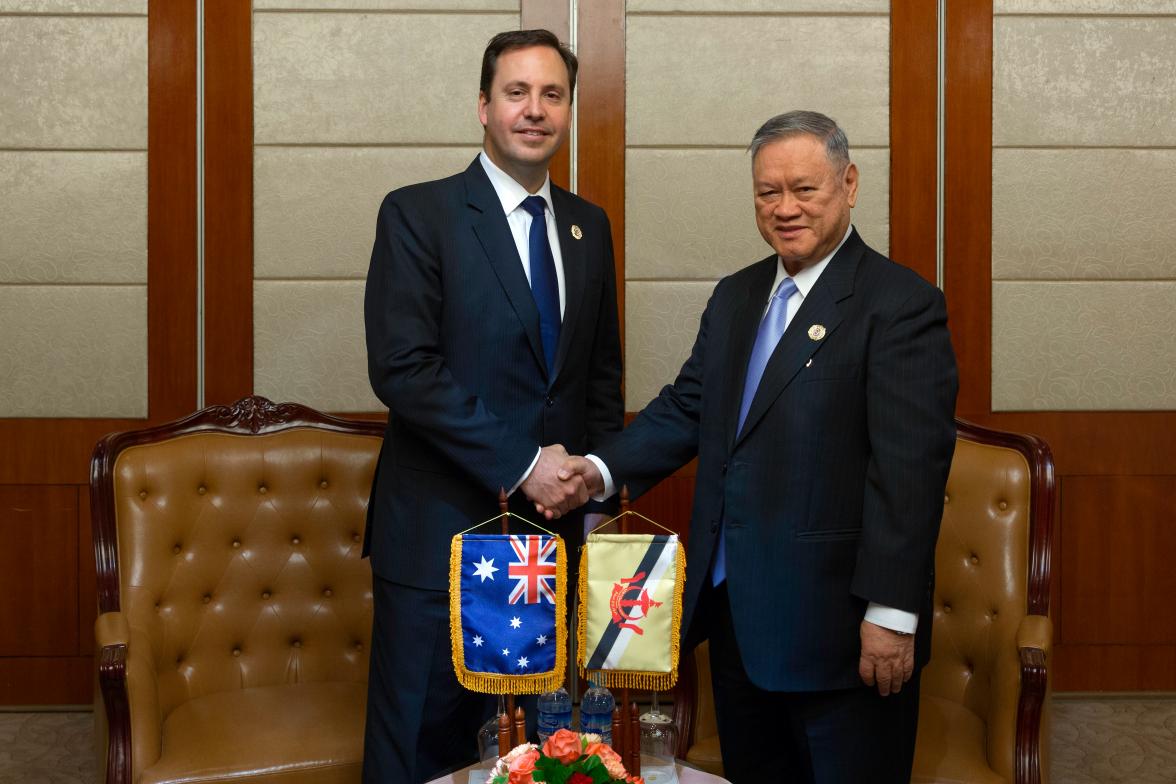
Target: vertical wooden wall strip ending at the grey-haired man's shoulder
[{"x": 914, "y": 43}]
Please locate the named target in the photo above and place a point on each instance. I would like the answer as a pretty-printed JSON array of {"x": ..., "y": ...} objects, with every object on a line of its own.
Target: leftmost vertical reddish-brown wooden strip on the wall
[{"x": 171, "y": 210}]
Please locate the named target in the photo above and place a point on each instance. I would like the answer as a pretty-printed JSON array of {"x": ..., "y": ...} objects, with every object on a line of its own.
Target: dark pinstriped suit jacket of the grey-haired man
[{"x": 832, "y": 494}]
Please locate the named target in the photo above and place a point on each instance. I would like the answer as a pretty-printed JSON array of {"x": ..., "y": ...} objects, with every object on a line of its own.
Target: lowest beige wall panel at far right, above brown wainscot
[{"x": 1092, "y": 346}]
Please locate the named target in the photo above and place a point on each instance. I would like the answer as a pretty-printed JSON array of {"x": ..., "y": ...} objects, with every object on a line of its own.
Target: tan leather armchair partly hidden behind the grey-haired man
[{"x": 985, "y": 695}]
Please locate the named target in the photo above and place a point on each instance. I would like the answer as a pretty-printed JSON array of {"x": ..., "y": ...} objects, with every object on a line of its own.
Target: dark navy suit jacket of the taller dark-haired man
[{"x": 455, "y": 352}]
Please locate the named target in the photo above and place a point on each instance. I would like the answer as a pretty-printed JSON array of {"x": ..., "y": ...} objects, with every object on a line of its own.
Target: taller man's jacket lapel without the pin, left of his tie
[{"x": 495, "y": 234}]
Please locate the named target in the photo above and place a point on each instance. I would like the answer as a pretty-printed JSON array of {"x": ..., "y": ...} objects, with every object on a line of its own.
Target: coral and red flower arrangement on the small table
[{"x": 567, "y": 758}]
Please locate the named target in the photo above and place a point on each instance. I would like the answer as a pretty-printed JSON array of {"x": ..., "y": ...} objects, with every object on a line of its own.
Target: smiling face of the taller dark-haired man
[{"x": 526, "y": 113}]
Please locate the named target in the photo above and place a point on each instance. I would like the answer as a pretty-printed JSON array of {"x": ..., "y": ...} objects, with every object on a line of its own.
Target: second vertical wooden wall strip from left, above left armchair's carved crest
[{"x": 229, "y": 202}]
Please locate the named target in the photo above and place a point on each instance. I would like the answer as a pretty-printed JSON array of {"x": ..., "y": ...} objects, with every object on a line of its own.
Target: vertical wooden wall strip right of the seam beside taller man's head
[{"x": 602, "y": 170}]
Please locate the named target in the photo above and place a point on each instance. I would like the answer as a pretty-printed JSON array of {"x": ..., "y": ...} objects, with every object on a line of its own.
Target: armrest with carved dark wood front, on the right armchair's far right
[{"x": 1035, "y": 640}]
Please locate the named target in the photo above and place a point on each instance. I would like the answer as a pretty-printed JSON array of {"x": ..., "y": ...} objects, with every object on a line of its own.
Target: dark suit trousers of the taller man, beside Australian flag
[{"x": 422, "y": 723}]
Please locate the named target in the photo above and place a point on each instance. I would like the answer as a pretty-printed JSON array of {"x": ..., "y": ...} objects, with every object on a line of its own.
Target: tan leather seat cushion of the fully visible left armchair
[{"x": 291, "y": 734}]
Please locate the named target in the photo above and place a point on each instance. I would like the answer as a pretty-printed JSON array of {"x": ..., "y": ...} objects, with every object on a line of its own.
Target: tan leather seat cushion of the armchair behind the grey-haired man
[{"x": 952, "y": 746}]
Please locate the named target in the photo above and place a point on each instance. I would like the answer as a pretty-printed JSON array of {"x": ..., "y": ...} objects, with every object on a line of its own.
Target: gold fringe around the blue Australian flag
[{"x": 493, "y": 684}]
